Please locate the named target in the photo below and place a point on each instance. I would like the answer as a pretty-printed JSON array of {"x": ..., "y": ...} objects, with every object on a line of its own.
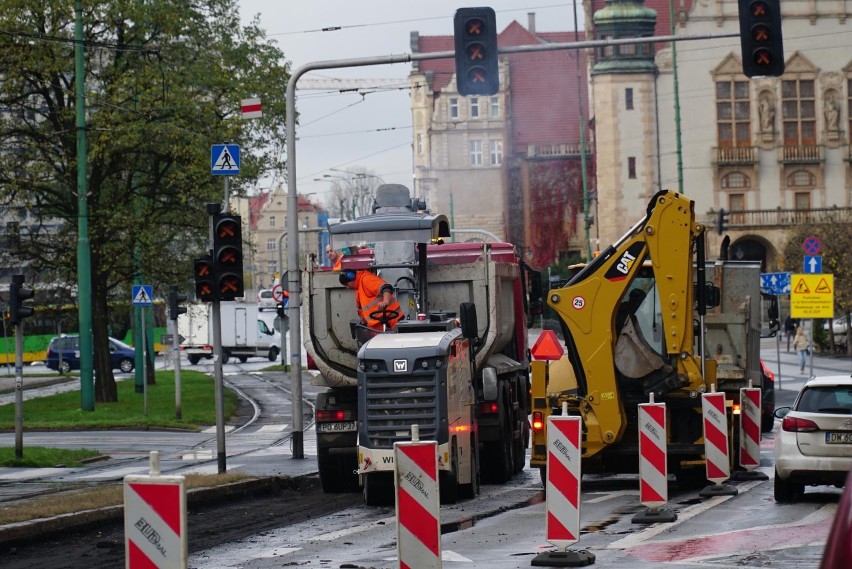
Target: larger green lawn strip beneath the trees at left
[{"x": 62, "y": 411}]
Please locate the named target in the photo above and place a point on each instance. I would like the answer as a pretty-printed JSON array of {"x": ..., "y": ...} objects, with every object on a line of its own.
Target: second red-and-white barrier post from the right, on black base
[{"x": 716, "y": 450}]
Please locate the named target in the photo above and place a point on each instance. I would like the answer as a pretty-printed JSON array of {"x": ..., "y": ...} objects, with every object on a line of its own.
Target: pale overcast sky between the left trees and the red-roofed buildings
[{"x": 373, "y": 131}]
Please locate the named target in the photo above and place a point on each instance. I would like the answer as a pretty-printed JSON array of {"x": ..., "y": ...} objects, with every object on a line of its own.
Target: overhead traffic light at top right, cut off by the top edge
[{"x": 760, "y": 37}]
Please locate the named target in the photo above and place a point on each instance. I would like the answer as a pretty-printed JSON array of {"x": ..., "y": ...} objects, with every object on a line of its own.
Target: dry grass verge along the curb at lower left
[{"x": 100, "y": 496}]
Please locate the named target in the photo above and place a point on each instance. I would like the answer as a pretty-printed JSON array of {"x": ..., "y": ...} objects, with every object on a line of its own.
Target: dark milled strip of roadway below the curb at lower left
[{"x": 289, "y": 501}]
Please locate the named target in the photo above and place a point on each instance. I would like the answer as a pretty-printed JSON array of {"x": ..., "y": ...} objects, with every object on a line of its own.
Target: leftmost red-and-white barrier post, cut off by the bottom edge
[{"x": 155, "y": 520}]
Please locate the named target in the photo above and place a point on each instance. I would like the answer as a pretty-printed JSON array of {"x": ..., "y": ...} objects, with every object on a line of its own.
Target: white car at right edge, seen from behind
[{"x": 814, "y": 445}]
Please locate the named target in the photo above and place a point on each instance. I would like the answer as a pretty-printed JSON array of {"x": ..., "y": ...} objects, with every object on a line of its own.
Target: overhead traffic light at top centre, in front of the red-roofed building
[{"x": 476, "y": 51}]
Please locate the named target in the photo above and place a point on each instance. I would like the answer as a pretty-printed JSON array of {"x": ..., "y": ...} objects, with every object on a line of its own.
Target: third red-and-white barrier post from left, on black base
[{"x": 563, "y": 493}]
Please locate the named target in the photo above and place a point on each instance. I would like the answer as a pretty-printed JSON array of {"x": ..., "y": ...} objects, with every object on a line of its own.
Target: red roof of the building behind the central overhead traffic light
[{"x": 542, "y": 85}]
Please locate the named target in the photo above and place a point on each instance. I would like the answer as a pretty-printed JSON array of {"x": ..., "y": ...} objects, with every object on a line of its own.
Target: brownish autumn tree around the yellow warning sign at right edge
[{"x": 836, "y": 259}]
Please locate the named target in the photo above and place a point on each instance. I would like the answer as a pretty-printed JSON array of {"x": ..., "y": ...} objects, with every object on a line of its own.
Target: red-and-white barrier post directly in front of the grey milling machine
[{"x": 417, "y": 503}]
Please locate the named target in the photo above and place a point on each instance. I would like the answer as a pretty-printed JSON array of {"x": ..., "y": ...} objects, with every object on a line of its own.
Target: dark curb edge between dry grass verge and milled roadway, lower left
[{"x": 34, "y": 530}]
